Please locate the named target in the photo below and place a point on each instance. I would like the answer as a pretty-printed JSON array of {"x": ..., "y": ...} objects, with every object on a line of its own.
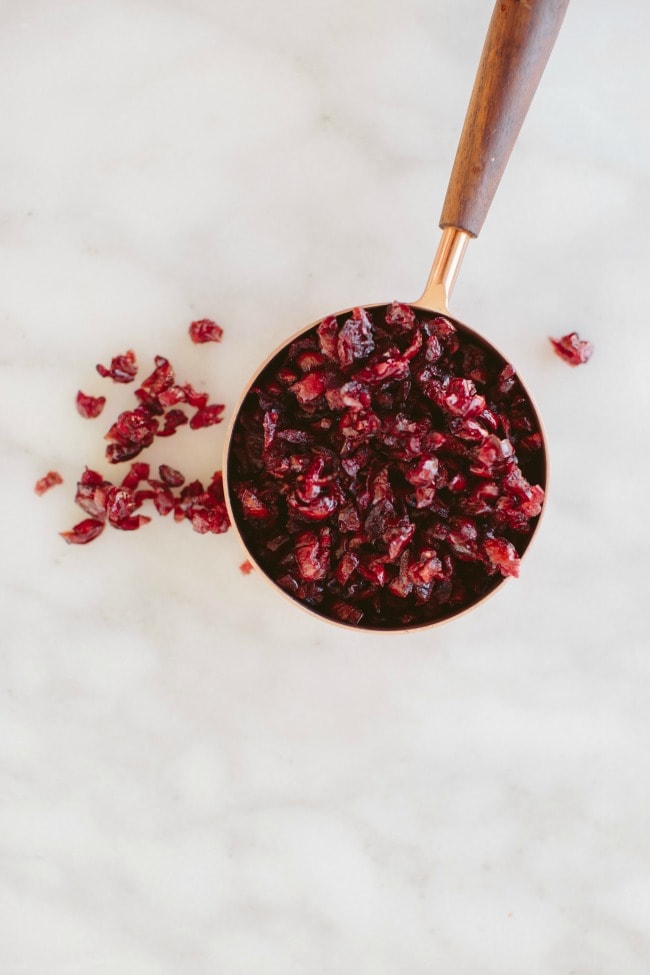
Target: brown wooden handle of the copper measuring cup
[{"x": 518, "y": 44}]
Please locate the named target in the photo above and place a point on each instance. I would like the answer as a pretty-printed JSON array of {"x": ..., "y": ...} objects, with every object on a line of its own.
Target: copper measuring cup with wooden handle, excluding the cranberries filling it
[{"x": 519, "y": 41}]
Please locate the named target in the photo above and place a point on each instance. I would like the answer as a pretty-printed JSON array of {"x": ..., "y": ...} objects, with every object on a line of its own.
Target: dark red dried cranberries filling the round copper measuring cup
[{"x": 387, "y": 468}]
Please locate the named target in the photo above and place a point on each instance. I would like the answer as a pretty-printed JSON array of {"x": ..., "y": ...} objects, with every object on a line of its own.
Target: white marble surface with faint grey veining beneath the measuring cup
[{"x": 195, "y": 778}]
